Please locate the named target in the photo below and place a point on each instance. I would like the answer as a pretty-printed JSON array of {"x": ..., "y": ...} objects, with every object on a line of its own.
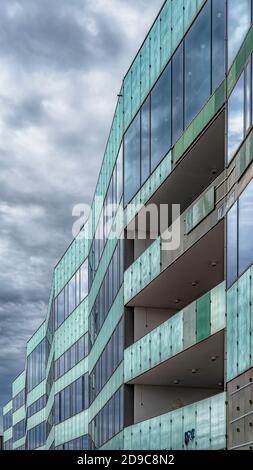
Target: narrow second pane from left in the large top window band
[{"x": 145, "y": 140}]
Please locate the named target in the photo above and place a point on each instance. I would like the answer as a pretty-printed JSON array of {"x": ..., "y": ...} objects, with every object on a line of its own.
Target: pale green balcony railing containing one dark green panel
[{"x": 194, "y": 323}]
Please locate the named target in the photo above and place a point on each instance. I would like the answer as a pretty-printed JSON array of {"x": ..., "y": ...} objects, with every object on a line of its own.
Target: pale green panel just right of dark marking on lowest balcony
[{"x": 203, "y": 425}]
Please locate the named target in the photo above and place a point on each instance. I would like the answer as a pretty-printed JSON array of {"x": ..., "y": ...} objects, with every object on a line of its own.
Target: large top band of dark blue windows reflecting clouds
[{"x": 195, "y": 70}]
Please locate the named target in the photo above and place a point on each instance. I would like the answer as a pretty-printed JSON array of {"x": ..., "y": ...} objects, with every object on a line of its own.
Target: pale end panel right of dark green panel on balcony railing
[{"x": 218, "y": 308}]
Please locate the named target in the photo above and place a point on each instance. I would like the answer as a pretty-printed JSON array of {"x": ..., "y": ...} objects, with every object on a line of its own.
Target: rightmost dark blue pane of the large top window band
[{"x": 218, "y": 44}]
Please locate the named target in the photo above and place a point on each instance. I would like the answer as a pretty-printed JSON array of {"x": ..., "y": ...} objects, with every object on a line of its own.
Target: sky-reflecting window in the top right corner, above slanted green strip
[{"x": 239, "y": 20}]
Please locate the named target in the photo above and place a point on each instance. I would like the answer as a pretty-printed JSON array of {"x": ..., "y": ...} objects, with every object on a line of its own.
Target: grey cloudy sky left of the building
[{"x": 61, "y": 66}]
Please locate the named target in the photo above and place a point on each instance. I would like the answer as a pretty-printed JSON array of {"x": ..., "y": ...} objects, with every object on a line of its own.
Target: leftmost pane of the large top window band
[{"x": 132, "y": 160}]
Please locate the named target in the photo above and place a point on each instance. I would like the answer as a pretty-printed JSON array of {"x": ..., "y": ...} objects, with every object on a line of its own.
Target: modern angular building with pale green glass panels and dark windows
[{"x": 145, "y": 347}]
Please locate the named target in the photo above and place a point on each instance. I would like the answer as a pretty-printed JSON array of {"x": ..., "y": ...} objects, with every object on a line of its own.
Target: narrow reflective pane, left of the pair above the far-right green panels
[{"x": 232, "y": 245}]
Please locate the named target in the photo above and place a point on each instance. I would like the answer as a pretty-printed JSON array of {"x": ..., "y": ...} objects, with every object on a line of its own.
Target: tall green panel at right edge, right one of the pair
[{"x": 244, "y": 322}]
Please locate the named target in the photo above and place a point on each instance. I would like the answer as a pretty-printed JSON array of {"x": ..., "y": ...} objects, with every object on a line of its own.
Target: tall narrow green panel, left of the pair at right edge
[{"x": 232, "y": 333}]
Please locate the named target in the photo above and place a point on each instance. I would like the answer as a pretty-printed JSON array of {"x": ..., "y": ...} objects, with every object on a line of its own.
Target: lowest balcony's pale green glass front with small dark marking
[{"x": 199, "y": 426}]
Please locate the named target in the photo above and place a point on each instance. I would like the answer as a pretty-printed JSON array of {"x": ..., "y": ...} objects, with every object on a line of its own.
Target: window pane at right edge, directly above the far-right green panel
[{"x": 245, "y": 228}]
